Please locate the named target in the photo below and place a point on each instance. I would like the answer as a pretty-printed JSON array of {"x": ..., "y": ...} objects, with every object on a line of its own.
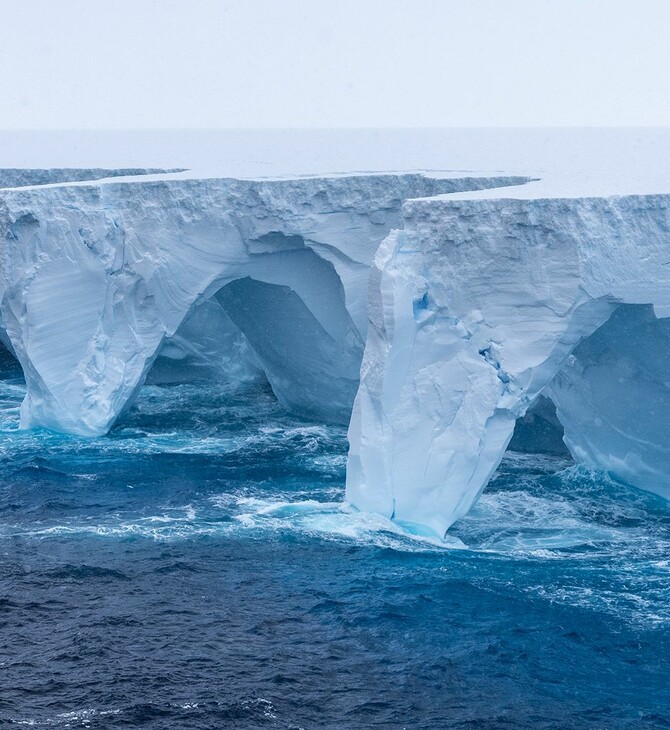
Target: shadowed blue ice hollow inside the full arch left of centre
[{"x": 286, "y": 319}]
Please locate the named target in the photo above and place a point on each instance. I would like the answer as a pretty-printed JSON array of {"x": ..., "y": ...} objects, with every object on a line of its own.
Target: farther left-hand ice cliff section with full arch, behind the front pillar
[{"x": 100, "y": 280}]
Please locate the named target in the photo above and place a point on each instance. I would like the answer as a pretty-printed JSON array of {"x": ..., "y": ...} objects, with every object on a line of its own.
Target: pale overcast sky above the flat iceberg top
[{"x": 220, "y": 64}]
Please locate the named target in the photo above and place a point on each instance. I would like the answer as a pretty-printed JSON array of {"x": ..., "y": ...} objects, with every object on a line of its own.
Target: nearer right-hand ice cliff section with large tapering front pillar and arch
[{"x": 475, "y": 307}]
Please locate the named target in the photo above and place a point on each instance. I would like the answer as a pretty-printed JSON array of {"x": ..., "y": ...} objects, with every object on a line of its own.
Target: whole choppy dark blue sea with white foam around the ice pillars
[{"x": 197, "y": 569}]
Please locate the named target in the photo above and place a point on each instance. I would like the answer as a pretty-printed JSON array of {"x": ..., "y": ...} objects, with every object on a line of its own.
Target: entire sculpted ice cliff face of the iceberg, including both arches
[{"x": 440, "y": 307}]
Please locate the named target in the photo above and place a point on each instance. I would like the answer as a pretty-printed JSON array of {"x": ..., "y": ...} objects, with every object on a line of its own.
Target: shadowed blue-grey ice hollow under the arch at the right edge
[{"x": 613, "y": 394}]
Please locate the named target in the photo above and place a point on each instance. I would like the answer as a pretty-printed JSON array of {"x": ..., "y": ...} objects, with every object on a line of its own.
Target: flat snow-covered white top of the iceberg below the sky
[{"x": 566, "y": 163}]
